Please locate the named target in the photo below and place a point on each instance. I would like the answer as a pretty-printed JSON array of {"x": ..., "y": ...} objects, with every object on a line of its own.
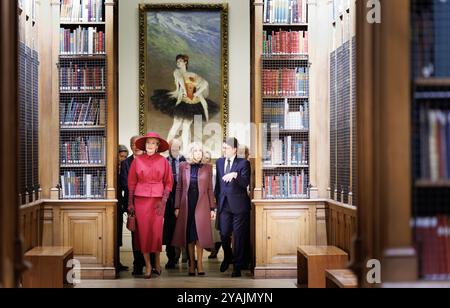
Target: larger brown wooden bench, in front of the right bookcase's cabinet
[{"x": 313, "y": 261}]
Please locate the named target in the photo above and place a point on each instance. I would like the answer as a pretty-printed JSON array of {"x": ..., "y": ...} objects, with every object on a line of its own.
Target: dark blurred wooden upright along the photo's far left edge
[{"x": 10, "y": 260}]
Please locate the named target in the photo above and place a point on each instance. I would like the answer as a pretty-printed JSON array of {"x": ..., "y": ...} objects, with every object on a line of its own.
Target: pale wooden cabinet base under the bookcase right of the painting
[{"x": 281, "y": 227}]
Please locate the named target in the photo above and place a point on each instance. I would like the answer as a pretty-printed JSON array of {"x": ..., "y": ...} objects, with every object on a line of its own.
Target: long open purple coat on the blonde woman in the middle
[{"x": 206, "y": 203}]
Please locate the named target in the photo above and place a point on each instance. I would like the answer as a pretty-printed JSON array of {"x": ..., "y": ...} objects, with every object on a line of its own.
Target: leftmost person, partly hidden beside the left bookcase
[{"x": 121, "y": 210}]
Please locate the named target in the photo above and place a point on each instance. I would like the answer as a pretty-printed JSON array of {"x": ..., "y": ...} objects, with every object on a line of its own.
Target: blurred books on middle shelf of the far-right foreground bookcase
[{"x": 435, "y": 144}]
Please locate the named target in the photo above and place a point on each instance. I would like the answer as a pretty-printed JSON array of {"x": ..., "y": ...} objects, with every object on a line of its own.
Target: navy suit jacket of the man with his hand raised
[{"x": 236, "y": 191}]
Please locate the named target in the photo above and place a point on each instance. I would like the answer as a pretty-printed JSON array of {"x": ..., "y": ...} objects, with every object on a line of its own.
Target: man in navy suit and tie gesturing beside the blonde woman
[{"x": 233, "y": 204}]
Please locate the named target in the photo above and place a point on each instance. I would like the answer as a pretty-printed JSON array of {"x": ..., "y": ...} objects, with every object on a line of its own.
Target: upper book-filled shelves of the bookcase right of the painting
[{"x": 285, "y": 51}]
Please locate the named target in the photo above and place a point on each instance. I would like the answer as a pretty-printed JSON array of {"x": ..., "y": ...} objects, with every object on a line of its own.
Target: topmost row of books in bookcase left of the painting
[{"x": 82, "y": 10}]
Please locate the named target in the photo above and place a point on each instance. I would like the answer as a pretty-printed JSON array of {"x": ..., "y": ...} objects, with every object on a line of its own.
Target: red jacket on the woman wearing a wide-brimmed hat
[{"x": 151, "y": 177}]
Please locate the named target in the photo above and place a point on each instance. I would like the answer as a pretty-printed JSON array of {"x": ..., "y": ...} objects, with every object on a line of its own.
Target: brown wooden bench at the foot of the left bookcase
[{"x": 49, "y": 267}]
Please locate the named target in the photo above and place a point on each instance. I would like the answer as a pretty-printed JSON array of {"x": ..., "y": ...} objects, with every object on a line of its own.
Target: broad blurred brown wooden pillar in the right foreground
[{"x": 384, "y": 142}]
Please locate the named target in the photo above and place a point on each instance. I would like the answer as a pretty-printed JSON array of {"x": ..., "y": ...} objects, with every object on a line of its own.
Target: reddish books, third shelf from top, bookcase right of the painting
[{"x": 286, "y": 82}]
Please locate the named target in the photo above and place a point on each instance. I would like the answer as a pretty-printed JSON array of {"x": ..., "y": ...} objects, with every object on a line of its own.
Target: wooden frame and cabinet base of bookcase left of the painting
[{"x": 90, "y": 214}]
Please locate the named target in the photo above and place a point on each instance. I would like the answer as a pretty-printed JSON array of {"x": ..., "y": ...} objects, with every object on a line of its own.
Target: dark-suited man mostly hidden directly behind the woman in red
[{"x": 139, "y": 262}]
